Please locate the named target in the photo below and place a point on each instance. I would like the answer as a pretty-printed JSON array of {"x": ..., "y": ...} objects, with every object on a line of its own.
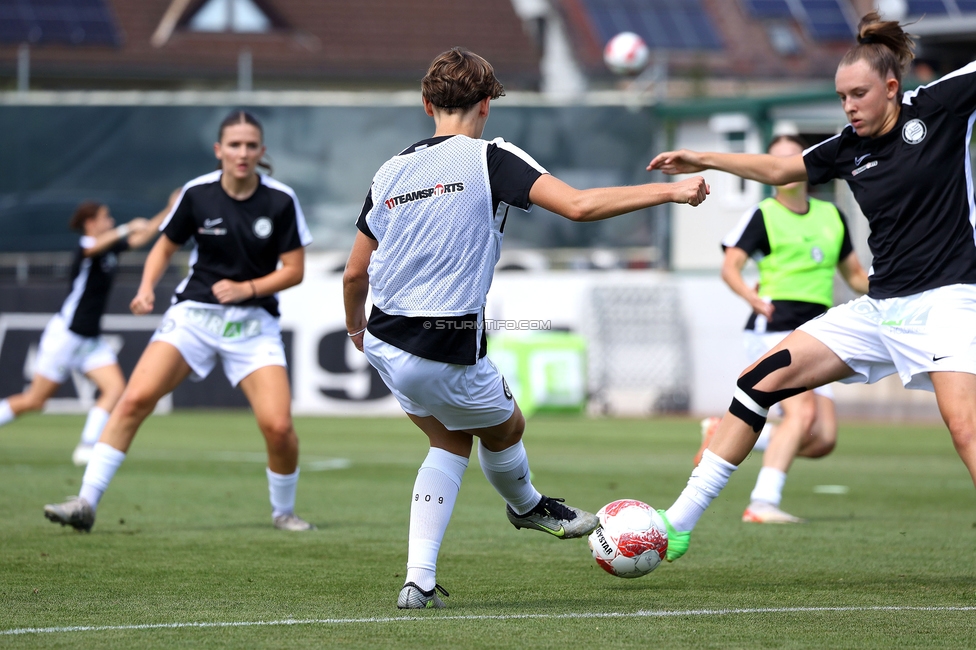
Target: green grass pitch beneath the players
[{"x": 184, "y": 541}]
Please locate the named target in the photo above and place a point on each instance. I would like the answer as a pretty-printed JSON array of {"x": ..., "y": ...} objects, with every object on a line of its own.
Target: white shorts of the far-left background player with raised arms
[{"x": 62, "y": 351}]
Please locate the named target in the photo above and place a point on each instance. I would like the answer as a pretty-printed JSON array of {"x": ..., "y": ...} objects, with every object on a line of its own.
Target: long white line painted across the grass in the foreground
[{"x": 498, "y": 617}]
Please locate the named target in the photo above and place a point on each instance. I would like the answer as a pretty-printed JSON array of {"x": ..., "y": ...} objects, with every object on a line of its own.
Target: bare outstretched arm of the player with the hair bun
[{"x": 762, "y": 167}]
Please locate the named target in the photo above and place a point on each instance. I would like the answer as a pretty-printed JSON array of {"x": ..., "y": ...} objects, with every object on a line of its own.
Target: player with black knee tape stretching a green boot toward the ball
[{"x": 905, "y": 156}]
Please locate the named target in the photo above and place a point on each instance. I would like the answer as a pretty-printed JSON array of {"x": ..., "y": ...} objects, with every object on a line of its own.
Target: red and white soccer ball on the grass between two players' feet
[{"x": 631, "y": 540}]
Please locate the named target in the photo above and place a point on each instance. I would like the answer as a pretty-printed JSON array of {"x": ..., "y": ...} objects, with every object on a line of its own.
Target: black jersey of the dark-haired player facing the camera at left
[{"x": 235, "y": 240}]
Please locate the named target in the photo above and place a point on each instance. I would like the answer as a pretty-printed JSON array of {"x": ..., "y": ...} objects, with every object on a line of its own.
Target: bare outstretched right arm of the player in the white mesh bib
[{"x": 604, "y": 202}]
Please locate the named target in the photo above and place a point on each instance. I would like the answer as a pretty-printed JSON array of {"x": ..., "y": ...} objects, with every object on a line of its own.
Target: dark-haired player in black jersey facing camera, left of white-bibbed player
[{"x": 243, "y": 224}]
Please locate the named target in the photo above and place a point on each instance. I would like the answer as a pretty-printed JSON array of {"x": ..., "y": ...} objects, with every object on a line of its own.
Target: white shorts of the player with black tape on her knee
[{"x": 913, "y": 335}]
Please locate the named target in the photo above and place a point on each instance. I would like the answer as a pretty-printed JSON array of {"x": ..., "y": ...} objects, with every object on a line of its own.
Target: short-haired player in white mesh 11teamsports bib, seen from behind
[{"x": 429, "y": 237}]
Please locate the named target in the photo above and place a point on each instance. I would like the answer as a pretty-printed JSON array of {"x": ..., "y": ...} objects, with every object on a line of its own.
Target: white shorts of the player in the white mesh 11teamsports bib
[{"x": 460, "y": 397}]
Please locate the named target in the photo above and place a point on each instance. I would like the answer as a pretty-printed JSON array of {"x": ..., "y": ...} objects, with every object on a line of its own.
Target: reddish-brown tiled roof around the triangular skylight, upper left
[{"x": 325, "y": 42}]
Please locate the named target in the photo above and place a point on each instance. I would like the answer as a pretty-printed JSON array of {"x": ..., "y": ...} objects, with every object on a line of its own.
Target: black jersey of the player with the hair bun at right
[{"x": 915, "y": 186}]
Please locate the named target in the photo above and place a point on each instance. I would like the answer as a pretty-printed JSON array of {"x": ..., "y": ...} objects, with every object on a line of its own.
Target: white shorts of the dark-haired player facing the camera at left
[{"x": 244, "y": 338}]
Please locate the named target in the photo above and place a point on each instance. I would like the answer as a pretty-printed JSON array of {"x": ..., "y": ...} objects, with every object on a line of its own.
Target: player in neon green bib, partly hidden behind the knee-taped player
[{"x": 798, "y": 241}]
